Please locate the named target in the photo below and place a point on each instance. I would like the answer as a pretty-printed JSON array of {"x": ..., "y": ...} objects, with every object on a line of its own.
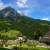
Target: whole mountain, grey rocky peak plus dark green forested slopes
[{"x": 32, "y": 28}]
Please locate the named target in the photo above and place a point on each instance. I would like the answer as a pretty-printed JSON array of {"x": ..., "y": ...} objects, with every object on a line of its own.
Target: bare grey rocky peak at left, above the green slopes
[{"x": 9, "y": 12}]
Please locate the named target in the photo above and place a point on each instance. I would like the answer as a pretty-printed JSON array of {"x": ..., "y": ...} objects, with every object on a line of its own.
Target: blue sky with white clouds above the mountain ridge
[{"x": 38, "y": 9}]
